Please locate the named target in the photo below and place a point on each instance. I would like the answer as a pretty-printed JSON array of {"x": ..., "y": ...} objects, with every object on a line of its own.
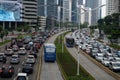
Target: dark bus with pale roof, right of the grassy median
[{"x": 70, "y": 42}]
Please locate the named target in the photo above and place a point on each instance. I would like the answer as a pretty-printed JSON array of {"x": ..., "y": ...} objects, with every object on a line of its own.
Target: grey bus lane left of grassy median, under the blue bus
[{"x": 50, "y": 70}]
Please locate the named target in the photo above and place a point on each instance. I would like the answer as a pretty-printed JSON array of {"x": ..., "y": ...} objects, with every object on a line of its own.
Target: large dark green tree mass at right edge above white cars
[{"x": 110, "y": 26}]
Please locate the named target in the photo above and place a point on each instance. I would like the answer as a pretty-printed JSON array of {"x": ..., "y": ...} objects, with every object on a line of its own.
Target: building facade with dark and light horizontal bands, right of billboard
[{"x": 29, "y": 11}]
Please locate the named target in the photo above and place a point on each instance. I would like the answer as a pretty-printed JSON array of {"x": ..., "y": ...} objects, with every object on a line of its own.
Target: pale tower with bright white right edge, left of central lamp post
[{"x": 67, "y": 10}]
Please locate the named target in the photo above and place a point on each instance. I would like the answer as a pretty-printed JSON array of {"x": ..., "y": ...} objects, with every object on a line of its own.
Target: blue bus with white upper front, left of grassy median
[{"x": 49, "y": 52}]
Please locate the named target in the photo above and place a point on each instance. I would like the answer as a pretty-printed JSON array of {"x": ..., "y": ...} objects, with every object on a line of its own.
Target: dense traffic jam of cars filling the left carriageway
[{"x": 19, "y": 58}]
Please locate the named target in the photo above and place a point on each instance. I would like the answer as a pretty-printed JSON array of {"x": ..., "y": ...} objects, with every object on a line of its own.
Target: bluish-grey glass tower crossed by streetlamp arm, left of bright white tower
[{"x": 95, "y": 13}]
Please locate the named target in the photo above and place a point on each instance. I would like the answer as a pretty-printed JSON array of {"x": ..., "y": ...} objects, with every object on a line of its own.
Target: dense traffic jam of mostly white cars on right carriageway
[{"x": 101, "y": 52}]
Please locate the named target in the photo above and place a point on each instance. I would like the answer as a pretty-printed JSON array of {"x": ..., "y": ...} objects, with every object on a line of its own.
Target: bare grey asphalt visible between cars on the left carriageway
[{"x": 18, "y": 67}]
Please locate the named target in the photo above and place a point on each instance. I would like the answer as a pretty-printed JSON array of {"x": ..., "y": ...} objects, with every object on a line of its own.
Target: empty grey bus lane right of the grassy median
[{"x": 93, "y": 69}]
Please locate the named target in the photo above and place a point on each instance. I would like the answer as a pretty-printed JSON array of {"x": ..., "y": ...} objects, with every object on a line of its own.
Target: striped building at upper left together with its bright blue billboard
[{"x": 19, "y": 11}]
